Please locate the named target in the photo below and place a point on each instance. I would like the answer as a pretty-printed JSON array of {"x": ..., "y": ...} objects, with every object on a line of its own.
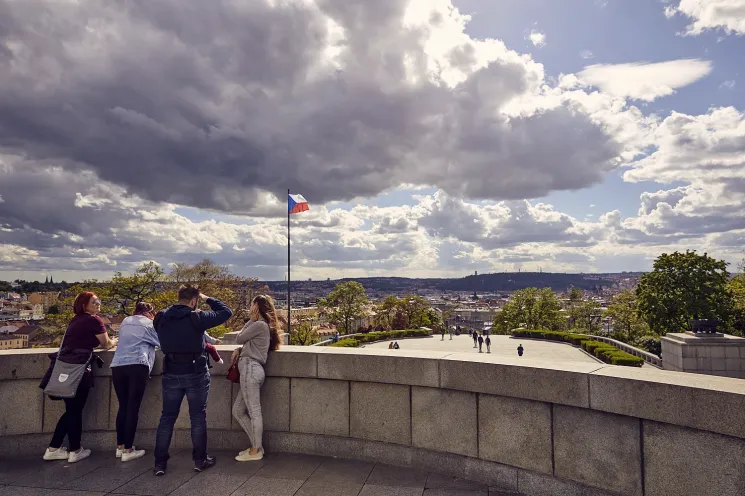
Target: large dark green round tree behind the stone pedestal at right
[{"x": 681, "y": 287}]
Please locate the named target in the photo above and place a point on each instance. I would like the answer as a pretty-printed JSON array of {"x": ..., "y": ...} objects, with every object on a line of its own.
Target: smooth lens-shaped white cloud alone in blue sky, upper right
[{"x": 644, "y": 80}]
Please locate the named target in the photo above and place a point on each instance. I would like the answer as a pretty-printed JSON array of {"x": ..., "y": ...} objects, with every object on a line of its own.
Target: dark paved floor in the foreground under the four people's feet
[{"x": 276, "y": 475}]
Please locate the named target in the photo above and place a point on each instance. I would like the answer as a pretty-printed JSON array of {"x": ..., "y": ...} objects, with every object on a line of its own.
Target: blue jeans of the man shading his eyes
[{"x": 196, "y": 388}]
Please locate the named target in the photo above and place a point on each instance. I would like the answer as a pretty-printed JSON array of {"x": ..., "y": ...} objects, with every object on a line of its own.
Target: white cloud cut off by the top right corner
[{"x": 727, "y": 15}]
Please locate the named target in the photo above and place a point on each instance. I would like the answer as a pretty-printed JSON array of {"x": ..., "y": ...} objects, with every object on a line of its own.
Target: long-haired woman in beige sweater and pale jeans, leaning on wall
[{"x": 258, "y": 337}]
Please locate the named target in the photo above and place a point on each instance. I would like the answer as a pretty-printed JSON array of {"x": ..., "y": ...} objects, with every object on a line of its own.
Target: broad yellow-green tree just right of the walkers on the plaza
[{"x": 532, "y": 308}]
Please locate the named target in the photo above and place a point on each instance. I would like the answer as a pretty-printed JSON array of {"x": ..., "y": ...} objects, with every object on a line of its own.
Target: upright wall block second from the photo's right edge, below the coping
[{"x": 598, "y": 449}]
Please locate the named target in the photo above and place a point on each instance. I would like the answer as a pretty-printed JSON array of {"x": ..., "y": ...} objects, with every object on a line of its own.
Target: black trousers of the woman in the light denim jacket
[{"x": 129, "y": 383}]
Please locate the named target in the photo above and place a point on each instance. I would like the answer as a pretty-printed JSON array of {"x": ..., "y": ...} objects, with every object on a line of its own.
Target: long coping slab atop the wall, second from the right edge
[{"x": 562, "y": 383}]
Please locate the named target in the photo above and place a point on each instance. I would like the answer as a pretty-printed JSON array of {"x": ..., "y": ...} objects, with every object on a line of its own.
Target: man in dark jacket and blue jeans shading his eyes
[{"x": 180, "y": 329}]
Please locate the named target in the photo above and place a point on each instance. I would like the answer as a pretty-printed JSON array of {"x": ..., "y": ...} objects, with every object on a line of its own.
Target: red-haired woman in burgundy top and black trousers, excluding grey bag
[{"x": 85, "y": 332}]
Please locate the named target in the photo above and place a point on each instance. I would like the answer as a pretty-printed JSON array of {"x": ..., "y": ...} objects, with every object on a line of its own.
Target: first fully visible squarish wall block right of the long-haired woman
[{"x": 319, "y": 406}]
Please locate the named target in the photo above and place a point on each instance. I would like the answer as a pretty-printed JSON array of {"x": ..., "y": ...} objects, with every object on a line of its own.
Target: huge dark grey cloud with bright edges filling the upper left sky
[{"x": 212, "y": 105}]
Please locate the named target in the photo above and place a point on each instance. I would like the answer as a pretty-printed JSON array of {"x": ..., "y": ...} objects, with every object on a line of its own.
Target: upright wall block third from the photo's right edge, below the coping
[{"x": 515, "y": 432}]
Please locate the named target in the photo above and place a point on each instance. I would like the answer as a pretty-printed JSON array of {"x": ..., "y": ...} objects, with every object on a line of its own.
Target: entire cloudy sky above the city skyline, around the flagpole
[{"x": 430, "y": 137}]
